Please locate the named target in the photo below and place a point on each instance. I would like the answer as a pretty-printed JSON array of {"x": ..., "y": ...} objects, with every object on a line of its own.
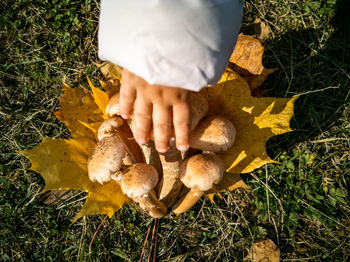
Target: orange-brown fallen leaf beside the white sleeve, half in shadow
[{"x": 246, "y": 60}]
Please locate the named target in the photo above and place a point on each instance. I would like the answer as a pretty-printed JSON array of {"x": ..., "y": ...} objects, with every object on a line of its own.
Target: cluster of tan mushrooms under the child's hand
[{"x": 173, "y": 180}]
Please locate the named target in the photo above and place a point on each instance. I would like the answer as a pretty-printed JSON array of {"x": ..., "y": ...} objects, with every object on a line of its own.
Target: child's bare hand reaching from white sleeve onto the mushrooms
[{"x": 163, "y": 106}]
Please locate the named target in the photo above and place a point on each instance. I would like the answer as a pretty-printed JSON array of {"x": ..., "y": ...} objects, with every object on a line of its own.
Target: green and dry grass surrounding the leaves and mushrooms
[{"x": 302, "y": 204}]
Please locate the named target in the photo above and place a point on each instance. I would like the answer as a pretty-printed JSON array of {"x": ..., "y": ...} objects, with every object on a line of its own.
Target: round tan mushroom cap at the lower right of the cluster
[{"x": 202, "y": 171}]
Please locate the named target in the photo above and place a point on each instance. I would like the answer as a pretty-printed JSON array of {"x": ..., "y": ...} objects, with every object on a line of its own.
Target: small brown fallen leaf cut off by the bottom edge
[{"x": 263, "y": 251}]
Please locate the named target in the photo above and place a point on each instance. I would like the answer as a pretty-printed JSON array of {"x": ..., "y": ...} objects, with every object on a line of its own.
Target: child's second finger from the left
[{"x": 143, "y": 119}]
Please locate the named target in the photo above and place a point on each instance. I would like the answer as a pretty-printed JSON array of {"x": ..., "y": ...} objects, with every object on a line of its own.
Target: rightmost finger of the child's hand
[{"x": 181, "y": 121}]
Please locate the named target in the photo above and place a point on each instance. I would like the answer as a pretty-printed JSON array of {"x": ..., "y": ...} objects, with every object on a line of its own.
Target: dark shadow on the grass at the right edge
[{"x": 308, "y": 64}]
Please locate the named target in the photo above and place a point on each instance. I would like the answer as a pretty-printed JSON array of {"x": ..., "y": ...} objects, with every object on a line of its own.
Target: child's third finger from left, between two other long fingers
[{"x": 162, "y": 127}]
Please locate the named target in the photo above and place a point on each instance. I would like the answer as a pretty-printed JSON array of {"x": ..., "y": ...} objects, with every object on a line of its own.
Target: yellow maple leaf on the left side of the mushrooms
[{"x": 63, "y": 163}]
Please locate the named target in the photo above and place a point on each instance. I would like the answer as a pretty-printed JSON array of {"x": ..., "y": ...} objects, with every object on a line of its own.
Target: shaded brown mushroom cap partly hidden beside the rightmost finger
[{"x": 199, "y": 108}]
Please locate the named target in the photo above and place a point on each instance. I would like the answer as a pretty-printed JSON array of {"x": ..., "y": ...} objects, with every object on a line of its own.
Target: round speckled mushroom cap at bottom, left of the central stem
[{"x": 139, "y": 180}]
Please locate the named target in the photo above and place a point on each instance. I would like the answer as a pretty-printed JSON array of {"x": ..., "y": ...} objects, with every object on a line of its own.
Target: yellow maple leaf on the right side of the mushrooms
[{"x": 256, "y": 120}]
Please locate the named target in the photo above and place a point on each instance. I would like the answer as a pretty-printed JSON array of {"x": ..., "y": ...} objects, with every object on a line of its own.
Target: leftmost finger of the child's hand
[{"x": 126, "y": 100}]
